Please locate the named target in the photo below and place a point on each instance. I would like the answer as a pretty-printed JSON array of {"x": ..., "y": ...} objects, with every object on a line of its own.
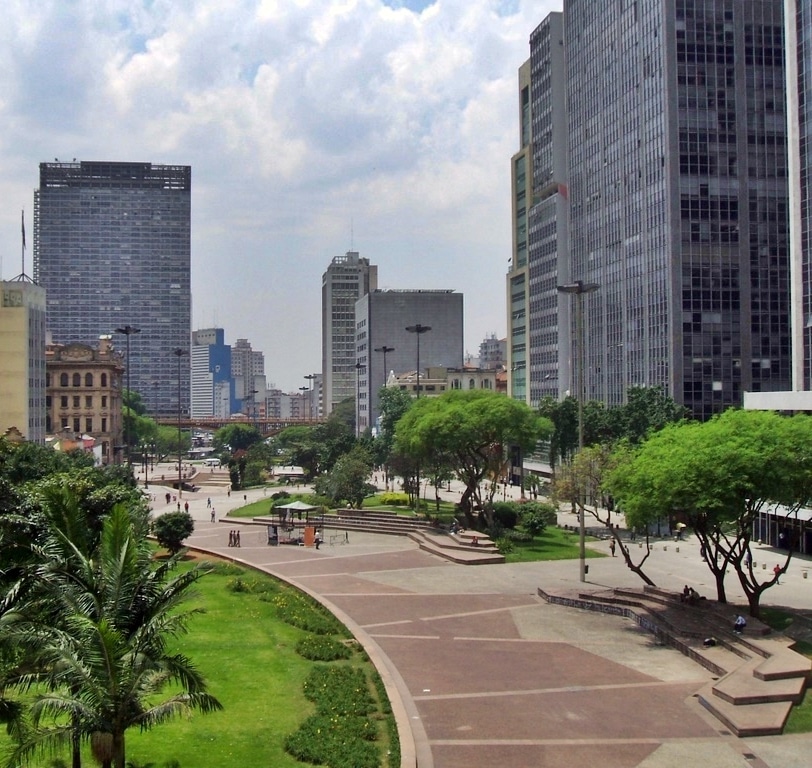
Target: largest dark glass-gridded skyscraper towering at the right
[{"x": 679, "y": 198}]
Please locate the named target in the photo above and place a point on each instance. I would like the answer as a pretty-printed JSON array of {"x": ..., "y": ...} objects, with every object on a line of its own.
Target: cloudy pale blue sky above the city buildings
[{"x": 313, "y": 127}]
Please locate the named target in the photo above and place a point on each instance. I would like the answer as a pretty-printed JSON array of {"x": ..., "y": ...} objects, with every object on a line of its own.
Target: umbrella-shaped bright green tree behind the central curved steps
[{"x": 474, "y": 428}]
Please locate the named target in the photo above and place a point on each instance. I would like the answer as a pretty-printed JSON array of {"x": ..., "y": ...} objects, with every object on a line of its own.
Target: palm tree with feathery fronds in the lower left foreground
[{"x": 102, "y": 658}]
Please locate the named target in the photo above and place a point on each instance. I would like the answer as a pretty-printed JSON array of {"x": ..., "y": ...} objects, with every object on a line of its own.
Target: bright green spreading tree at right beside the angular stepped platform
[{"x": 717, "y": 476}]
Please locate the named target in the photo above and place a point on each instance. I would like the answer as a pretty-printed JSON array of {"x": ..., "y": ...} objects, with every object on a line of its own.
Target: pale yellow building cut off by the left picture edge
[{"x": 22, "y": 359}]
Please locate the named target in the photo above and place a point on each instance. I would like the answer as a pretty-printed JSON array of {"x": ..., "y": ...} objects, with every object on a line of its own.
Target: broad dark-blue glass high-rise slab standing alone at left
[{"x": 112, "y": 249}]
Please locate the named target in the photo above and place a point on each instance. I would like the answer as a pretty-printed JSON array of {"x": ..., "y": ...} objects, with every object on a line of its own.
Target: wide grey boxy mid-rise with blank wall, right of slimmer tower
[{"x": 381, "y": 320}]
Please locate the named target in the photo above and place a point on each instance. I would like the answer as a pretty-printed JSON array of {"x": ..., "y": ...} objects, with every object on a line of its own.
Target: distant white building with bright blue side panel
[{"x": 213, "y": 391}]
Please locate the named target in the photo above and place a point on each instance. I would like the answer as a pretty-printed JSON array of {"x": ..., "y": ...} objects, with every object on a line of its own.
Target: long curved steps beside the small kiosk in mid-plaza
[{"x": 464, "y": 547}]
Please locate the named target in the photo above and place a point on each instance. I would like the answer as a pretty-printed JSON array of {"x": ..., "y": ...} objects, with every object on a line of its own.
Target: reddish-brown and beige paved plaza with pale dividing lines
[{"x": 487, "y": 674}]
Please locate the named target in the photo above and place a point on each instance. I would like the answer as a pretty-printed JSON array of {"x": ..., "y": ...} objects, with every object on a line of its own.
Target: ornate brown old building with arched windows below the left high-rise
[{"x": 84, "y": 395}]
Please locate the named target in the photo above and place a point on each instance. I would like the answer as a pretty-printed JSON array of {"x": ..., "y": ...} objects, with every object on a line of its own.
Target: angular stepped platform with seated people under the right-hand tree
[{"x": 758, "y": 677}]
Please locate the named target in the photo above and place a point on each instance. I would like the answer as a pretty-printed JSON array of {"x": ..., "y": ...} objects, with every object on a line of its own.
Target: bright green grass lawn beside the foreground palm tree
[{"x": 248, "y": 659}]
